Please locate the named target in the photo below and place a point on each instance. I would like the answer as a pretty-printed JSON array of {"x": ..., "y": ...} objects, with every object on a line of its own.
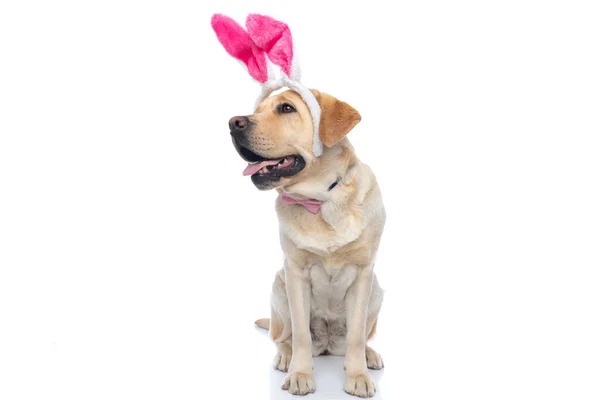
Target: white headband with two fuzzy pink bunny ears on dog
[{"x": 267, "y": 38}]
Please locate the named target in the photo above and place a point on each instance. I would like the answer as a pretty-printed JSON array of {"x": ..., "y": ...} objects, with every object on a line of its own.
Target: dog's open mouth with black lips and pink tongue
[{"x": 264, "y": 169}]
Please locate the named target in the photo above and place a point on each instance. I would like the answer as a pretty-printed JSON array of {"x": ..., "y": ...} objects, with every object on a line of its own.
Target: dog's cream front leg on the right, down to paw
[{"x": 358, "y": 382}]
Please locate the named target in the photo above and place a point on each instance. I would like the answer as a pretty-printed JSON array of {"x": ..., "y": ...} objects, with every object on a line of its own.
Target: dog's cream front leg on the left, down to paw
[{"x": 299, "y": 379}]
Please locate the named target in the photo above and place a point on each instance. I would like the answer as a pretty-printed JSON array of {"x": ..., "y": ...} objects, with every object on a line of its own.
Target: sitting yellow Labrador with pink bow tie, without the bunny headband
[{"x": 326, "y": 299}]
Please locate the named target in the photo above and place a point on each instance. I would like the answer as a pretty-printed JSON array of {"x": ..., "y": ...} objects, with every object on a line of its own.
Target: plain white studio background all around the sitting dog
[{"x": 134, "y": 257}]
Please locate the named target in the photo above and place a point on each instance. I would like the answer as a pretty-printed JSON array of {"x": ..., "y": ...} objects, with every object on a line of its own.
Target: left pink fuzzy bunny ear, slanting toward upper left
[{"x": 238, "y": 44}]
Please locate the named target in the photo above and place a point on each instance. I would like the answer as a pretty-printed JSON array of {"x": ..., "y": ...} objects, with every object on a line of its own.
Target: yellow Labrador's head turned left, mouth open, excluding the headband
[{"x": 277, "y": 139}]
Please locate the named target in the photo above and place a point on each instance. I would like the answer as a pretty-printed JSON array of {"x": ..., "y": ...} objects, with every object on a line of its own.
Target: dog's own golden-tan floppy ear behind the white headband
[{"x": 337, "y": 118}]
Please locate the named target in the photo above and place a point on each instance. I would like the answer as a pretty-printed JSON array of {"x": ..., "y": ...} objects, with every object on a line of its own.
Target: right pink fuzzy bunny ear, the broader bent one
[{"x": 274, "y": 37}]
